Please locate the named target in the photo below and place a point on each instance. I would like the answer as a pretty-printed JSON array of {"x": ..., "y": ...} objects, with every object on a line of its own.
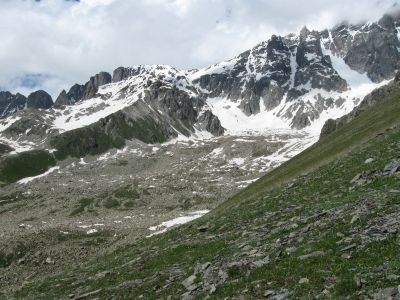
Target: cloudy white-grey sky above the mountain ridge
[{"x": 52, "y": 44}]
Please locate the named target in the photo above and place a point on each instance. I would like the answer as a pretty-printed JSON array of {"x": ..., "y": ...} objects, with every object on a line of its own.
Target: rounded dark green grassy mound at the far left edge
[{"x": 25, "y": 164}]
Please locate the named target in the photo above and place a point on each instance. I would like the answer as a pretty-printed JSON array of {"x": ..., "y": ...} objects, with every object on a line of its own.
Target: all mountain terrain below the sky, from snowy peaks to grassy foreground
[{"x": 283, "y": 161}]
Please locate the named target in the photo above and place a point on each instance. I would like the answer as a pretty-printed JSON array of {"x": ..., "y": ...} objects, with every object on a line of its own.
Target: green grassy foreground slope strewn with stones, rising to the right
[{"x": 317, "y": 211}]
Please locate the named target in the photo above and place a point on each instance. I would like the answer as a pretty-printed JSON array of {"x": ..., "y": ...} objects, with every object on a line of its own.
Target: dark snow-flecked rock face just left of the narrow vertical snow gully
[{"x": 260, "y": 73}]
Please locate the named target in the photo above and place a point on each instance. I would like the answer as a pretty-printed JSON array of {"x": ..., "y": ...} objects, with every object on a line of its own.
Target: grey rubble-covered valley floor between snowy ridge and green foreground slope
[{"x": 88, "y": 207}]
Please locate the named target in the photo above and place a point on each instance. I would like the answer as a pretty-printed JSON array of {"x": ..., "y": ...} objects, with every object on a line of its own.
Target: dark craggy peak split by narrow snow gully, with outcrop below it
[{"x": 281, "y": 68}]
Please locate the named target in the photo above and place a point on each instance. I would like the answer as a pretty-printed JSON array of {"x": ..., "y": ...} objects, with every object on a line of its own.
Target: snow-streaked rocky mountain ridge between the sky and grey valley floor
[{"x": 293, "y": 83}]
